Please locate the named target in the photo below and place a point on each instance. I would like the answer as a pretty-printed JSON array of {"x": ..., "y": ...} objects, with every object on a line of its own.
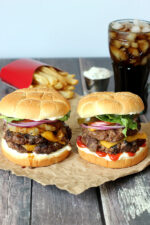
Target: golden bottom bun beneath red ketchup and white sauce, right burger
[{"x": 122, "y": 163}]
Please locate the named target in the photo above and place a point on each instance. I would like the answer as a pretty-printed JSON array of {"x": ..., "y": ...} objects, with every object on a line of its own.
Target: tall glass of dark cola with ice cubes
[{"x": 129, "y": 46}]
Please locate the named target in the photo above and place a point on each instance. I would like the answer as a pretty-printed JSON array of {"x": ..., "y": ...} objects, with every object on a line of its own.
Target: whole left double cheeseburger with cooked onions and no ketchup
[{"x": 35, "y": 133}]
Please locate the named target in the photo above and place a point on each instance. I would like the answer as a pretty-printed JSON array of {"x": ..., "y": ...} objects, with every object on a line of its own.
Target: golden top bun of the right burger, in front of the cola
[{"x": 99, "y": 103}]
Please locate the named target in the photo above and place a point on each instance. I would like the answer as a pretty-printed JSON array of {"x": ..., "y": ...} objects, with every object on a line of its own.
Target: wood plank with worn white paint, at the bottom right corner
[{"x": 125, "y": 201}]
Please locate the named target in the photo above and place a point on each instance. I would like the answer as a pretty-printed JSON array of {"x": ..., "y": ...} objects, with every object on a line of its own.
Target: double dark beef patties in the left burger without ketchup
[{"x": 16, "y": 141}]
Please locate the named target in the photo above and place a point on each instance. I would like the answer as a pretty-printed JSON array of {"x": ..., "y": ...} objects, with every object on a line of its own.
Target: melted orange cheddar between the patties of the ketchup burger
[{"x": 141, "y": 135}]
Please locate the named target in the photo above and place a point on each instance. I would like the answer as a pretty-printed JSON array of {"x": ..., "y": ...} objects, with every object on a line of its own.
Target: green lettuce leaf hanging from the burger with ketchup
[{"x": 124, "y": 120}]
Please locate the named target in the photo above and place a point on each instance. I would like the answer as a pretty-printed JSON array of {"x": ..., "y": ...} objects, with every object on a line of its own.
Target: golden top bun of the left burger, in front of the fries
[{"x": 34, "y": 104}]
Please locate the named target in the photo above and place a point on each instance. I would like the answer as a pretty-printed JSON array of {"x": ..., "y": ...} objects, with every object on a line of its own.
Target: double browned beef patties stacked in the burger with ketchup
[{"x": 92, "y": 140}]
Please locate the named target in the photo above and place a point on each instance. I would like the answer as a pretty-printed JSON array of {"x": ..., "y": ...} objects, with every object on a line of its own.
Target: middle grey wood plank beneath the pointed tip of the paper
[{"x": 53, "y": 206}]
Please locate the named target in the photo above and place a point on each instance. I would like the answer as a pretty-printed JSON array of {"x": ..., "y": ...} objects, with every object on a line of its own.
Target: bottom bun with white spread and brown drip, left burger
[{"x": 33, "y": 159}]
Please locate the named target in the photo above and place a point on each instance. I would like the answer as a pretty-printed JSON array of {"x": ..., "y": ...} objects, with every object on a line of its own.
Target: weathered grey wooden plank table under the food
[{"x": 25, "y": 202}]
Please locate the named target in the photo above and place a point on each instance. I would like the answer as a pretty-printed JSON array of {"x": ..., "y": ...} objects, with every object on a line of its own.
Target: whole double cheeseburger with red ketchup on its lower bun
[{"x": 111, "y": 134}]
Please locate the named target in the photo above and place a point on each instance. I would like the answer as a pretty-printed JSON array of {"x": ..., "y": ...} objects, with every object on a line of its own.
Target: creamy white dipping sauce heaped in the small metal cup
[{"x": 97, "y": 73}]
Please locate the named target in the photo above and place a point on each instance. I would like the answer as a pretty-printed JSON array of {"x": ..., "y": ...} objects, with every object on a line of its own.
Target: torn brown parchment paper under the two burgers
[{"x": 74, "y": 174}]
